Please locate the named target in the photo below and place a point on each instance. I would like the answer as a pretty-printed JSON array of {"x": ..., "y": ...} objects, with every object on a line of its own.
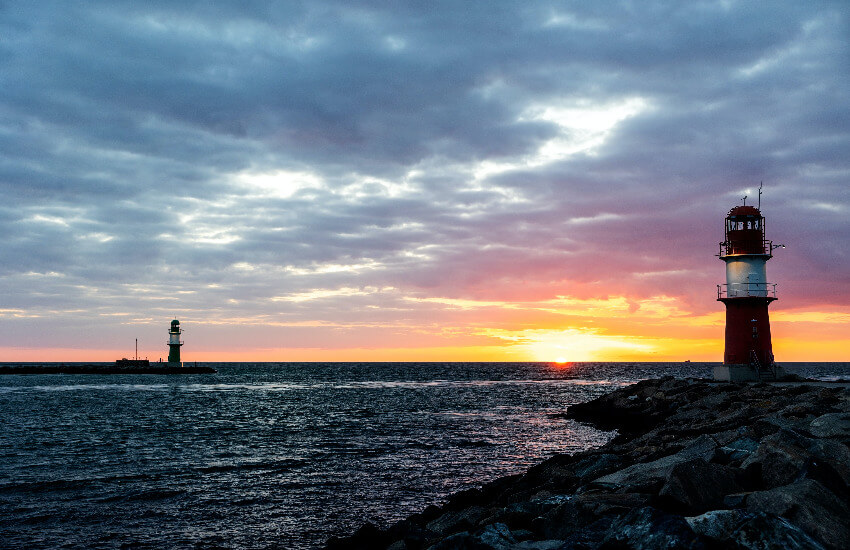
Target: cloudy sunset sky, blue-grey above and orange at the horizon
[{"x": 417, "y": 181}]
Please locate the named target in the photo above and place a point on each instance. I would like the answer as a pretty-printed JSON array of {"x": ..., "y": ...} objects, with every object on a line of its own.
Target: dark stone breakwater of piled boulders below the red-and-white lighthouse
[{"x": 695, "y": 465}]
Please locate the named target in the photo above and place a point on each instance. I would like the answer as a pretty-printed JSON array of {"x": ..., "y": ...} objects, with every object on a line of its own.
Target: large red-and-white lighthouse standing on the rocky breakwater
[{"x": 747, "y": 295}]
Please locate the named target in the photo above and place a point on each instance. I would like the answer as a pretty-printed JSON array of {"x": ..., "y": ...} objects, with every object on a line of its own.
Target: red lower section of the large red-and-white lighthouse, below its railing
[{"x": 748, "y": 331}]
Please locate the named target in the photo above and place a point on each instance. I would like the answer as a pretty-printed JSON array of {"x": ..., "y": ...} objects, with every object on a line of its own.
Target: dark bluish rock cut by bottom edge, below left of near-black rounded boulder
[{"x": 648, "y": 528}]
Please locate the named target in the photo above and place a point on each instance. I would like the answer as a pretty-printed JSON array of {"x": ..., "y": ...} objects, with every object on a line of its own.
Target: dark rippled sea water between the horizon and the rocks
[{"x": 280, "y": 455}]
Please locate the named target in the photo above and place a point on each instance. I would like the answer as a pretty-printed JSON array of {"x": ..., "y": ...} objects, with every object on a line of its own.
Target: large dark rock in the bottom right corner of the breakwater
[{"x": 810, "y": 506}]
